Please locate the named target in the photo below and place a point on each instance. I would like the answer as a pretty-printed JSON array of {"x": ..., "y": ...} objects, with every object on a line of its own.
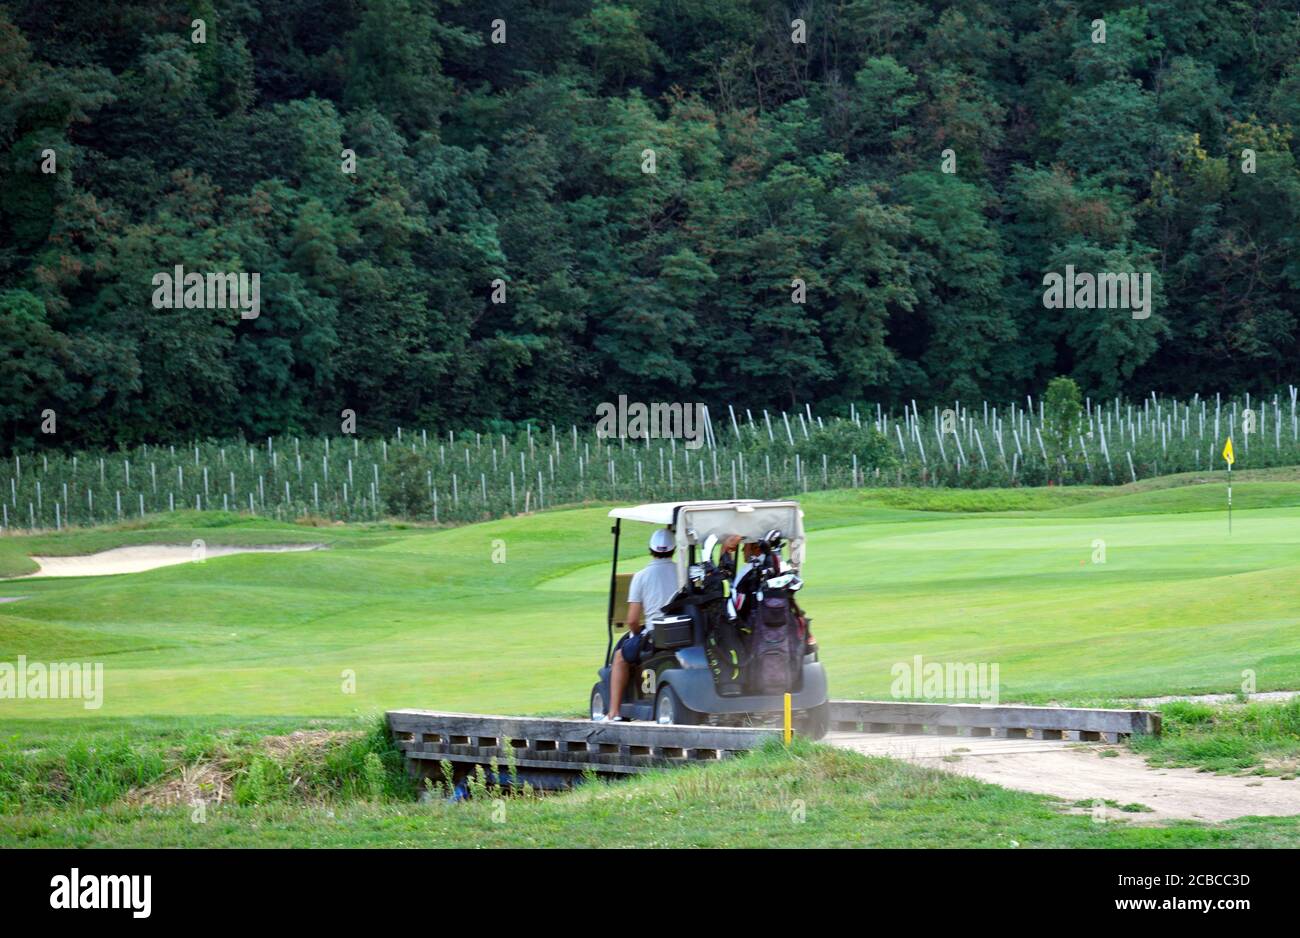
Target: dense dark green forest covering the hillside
[{"x": 909, "y": 170}]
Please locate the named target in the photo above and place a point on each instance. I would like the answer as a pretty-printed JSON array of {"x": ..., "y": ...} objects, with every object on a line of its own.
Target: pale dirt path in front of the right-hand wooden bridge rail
[{"x": 1076, "y": 774}]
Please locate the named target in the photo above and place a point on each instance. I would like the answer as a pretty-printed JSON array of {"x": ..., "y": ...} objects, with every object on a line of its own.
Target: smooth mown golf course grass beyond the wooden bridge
[{"x": 427, "y": 619}]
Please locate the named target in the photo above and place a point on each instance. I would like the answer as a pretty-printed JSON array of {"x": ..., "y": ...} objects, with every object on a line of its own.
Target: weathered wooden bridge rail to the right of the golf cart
[{"x": 996, "y": 718}]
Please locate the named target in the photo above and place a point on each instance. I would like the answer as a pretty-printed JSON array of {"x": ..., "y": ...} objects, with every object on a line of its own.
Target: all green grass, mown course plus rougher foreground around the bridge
[{"x": 203, "y": 662}]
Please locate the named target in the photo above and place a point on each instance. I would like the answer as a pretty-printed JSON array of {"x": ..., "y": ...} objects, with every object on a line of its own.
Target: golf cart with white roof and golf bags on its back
[{"x": 679, "y": 678}]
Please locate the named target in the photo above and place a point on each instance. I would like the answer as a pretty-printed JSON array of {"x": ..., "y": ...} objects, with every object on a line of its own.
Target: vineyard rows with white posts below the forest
[{"x": 462, "y": 477}]
